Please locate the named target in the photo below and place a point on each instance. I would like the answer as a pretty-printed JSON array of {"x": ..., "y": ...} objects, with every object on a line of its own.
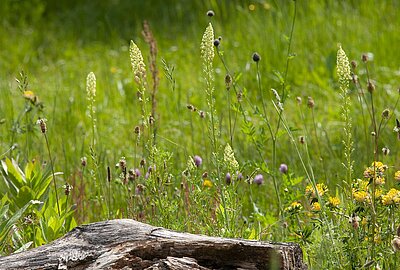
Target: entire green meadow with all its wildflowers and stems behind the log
[{"x": 257, "y": 127}]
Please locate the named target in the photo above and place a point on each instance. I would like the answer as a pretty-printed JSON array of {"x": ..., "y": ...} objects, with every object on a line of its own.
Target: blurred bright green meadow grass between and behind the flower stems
[{"x": 57, "y": 46}]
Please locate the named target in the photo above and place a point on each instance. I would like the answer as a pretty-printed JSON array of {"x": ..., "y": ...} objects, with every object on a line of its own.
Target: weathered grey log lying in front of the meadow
[{"x": 128, "y": 244}]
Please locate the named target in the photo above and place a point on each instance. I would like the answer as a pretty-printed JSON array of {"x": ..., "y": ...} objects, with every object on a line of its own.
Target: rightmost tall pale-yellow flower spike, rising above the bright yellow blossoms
[{"x": 344, "y": 75}]
